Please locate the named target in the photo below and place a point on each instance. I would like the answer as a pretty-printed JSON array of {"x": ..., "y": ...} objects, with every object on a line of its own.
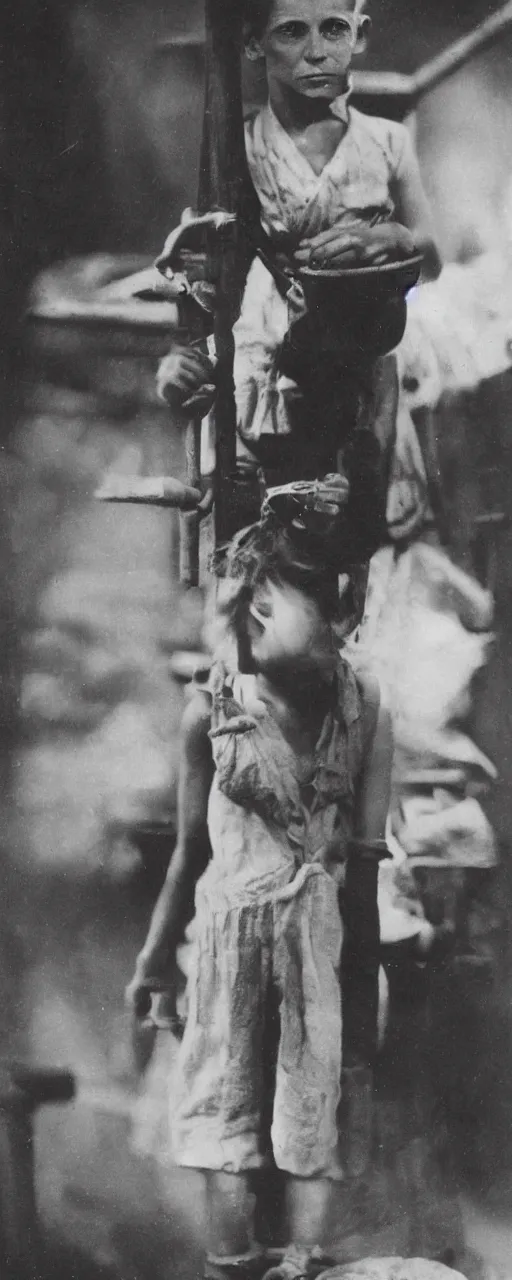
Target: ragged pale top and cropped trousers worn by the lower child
[{"x": 268, "y": 935}]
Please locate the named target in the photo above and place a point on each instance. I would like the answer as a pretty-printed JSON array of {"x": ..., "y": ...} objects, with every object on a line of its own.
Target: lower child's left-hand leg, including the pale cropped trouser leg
[{"x": 220, "y": 1096}]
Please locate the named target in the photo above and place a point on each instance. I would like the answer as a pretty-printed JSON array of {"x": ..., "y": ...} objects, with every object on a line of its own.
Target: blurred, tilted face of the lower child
[{"x": 287, "y": 633}]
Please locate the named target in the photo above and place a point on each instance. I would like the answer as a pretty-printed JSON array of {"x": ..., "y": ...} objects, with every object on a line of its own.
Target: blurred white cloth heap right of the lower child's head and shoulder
[{"x": 427, "y": 630}]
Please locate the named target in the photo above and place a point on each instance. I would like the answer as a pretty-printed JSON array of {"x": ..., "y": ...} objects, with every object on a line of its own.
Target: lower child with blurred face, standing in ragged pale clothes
[{"x": 285, "y": 764}]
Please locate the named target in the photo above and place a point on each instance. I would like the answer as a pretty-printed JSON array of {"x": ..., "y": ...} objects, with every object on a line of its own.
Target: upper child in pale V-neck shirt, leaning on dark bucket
[{"x": 337, "y": 190}]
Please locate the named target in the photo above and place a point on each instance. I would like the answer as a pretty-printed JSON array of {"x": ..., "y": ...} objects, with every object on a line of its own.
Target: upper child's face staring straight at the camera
[{"x": 309, "y": 45}]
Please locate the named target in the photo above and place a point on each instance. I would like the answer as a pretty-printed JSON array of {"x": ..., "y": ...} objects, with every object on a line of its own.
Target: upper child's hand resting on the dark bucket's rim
[{"x": 365, "y": 246}]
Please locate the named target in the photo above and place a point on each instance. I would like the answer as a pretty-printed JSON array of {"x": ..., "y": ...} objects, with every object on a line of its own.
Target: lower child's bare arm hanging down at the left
[{"x": 175, "y": 906}]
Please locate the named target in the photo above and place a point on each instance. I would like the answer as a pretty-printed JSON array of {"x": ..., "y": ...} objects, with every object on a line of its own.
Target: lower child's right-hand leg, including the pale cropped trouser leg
[{"x": 308, "y": 1084}]
